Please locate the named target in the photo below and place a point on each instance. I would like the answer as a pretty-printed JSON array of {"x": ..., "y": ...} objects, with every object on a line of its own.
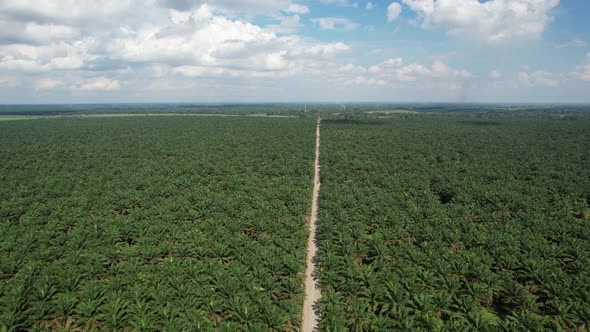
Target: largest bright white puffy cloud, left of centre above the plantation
[{"x": 206, "y": 44}]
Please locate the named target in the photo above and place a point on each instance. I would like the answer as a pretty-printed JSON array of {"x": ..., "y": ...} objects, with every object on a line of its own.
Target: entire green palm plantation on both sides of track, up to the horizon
[{"x": 429, "y": 219}]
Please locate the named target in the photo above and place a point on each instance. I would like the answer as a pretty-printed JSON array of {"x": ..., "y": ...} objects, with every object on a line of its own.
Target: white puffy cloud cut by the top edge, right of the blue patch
[{"x": 493, "y": 21}]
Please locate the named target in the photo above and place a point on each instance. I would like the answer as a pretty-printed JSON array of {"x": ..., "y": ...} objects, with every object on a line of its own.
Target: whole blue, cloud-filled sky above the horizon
[{"x": 114, "y": 51}]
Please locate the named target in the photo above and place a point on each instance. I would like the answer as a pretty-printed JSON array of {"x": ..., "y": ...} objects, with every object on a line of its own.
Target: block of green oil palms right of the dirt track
[{"x": 462, "y": 222}]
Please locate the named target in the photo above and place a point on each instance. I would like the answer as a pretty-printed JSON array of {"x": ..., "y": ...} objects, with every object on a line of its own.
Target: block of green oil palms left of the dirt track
[{"x": 154, "y": 223}]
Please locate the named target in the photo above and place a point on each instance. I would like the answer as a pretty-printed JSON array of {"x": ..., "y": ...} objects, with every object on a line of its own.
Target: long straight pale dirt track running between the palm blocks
[{"x": 311, "y": 312}]
